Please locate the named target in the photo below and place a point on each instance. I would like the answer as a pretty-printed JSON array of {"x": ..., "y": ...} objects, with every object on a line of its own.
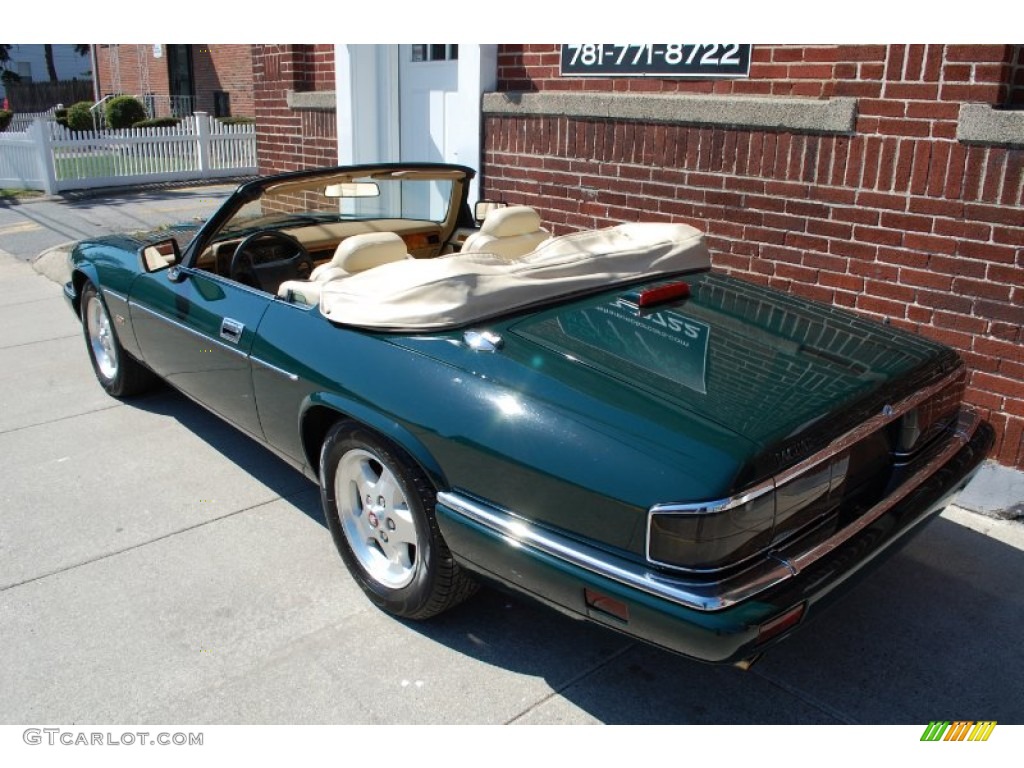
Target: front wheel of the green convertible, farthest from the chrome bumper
[{"x": 118, "y": 373}]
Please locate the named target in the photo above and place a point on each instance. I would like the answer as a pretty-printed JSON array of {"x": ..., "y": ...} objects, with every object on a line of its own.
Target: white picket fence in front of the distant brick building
[{"x": 53, "y": 159}]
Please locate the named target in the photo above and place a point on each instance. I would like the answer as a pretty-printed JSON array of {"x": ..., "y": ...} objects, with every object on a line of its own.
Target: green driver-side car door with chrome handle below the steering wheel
[{"x": 196, "y": 330}]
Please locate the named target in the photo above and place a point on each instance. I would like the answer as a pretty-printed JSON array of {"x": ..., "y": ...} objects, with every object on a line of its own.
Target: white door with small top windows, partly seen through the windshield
[{"x": 429, "y": 84}]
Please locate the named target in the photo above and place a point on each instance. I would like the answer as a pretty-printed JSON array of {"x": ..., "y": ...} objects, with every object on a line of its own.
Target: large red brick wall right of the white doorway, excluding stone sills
[{"x": 900, "y": 221}]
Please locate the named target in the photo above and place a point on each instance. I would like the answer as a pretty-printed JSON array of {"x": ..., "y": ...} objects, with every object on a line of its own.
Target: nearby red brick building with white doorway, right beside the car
[{"x": 885, "y": 179}]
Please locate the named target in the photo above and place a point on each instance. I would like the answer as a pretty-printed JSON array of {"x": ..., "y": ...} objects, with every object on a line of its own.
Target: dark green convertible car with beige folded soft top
[{"x": 598, "y": 420}]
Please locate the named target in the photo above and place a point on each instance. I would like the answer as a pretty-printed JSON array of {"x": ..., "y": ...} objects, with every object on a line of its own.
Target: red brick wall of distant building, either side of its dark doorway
[{"x": 216, "y": 68}]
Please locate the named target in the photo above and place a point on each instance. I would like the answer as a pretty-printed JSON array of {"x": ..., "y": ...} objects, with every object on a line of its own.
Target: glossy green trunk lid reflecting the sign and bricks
[{"x": 787, "y": 374}]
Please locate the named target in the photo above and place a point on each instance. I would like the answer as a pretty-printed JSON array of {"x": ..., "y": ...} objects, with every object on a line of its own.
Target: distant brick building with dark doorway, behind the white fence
[{"x": 180, "y": 79}]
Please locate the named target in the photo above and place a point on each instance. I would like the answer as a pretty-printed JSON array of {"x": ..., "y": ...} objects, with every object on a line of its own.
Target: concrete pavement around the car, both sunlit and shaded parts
[{"x": 158, "y": 567}]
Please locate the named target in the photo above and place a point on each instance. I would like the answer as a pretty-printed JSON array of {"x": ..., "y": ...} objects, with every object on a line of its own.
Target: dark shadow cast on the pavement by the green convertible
[{"x": 932, "y": 634}]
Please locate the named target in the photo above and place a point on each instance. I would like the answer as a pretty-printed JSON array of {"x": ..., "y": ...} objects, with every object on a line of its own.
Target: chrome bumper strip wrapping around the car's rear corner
[{"x": 706, "y": 596}]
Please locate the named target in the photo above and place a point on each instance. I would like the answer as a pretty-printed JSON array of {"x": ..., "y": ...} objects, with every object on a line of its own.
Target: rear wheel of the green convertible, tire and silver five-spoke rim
[{"x": 380, "y": 508}]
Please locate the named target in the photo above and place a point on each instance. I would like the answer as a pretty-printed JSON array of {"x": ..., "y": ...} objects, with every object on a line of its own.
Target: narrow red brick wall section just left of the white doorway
[{"x": 292, "y": 140}]
